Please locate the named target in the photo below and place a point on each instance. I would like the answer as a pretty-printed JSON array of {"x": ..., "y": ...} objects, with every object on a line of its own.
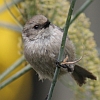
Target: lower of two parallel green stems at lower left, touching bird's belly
[{"x": 15, "y": 76}]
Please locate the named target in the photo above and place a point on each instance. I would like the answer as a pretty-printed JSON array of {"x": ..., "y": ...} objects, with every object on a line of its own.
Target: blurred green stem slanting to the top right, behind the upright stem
[{"x": 81, "y": 9}]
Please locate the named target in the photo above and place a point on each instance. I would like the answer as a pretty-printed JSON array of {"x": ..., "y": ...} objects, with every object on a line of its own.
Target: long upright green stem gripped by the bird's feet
[{"x": 61, "y": 52}]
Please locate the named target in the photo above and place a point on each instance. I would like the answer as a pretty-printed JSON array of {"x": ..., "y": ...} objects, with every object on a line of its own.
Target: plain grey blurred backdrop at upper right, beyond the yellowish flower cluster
[{"x": 92, "y": 12}]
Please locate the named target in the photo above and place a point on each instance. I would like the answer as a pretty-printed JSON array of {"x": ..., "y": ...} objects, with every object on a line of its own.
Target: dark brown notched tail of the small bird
[{"x": 80, "y": 74}]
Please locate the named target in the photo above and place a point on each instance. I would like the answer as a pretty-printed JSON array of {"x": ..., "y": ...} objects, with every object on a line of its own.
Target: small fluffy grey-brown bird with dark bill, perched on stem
[{"x": 42, "y": 42}]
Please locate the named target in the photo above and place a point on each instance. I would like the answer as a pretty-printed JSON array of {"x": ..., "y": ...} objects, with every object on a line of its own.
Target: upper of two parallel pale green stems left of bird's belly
[{"x": 11, "y": 68}]
